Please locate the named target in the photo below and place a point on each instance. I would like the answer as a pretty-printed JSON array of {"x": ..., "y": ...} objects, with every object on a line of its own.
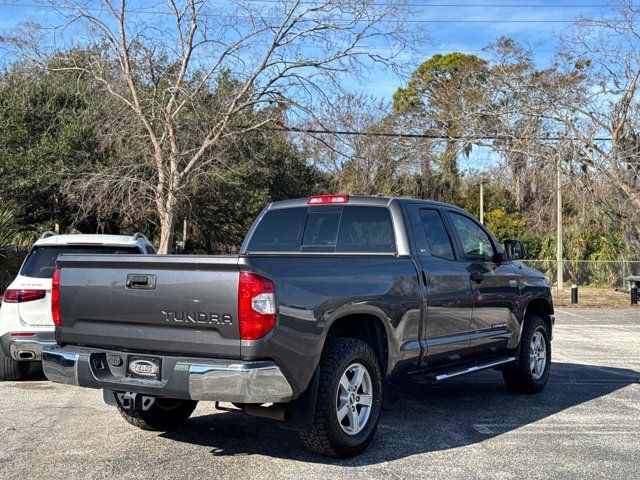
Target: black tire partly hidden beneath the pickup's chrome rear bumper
[{"x": 164, "y": 415}]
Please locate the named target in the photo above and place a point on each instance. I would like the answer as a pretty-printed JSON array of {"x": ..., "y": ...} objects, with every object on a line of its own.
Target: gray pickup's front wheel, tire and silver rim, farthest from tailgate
[{"x": 534, "y": 360}]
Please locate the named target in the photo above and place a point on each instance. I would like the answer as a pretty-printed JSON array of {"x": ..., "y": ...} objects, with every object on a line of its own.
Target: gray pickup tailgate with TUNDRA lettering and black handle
[{"x": 156, "y": 303}]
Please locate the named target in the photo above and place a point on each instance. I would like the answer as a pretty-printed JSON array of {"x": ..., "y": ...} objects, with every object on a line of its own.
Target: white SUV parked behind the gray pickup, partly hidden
[{"x": 25, "y": 313}]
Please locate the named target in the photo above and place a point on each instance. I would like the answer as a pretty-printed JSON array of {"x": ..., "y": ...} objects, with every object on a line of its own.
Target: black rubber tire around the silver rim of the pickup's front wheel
[{"x": 522, "y": 380}]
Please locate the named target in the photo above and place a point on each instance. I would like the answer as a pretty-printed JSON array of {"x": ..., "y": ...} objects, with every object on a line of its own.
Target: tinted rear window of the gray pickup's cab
[{"x": 346, "y": 229}]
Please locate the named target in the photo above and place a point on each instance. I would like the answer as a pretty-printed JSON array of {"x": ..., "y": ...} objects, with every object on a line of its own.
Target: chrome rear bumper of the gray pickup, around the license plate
[{"x": 181, "y": 377}]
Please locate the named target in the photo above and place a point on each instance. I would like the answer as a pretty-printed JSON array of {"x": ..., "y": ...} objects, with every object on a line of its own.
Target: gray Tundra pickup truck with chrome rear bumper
[{"x": 327, "y": 296}]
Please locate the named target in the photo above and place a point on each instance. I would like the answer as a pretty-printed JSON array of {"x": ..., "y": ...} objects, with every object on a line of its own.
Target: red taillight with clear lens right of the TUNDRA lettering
[{"x": 256, "y": 306}]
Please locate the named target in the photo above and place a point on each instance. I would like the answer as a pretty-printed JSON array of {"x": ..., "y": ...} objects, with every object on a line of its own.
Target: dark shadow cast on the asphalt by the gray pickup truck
[{"x": 420, "y": 417}]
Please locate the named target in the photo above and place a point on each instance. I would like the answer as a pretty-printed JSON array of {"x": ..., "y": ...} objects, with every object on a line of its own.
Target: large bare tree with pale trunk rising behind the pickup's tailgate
[{"x": 189, "y": 76}]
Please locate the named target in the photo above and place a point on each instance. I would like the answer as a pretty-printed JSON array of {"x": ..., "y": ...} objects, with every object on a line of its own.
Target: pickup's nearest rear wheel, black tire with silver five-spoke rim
[{"x": 349, "y": 400}]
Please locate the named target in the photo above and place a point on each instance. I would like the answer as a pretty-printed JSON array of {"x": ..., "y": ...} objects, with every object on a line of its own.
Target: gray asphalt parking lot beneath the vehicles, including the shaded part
[{"x": 585, "y": 424}]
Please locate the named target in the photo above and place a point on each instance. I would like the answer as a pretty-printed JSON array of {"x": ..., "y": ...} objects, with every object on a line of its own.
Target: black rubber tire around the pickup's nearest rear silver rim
[{"x": 326, "y": 436}]
